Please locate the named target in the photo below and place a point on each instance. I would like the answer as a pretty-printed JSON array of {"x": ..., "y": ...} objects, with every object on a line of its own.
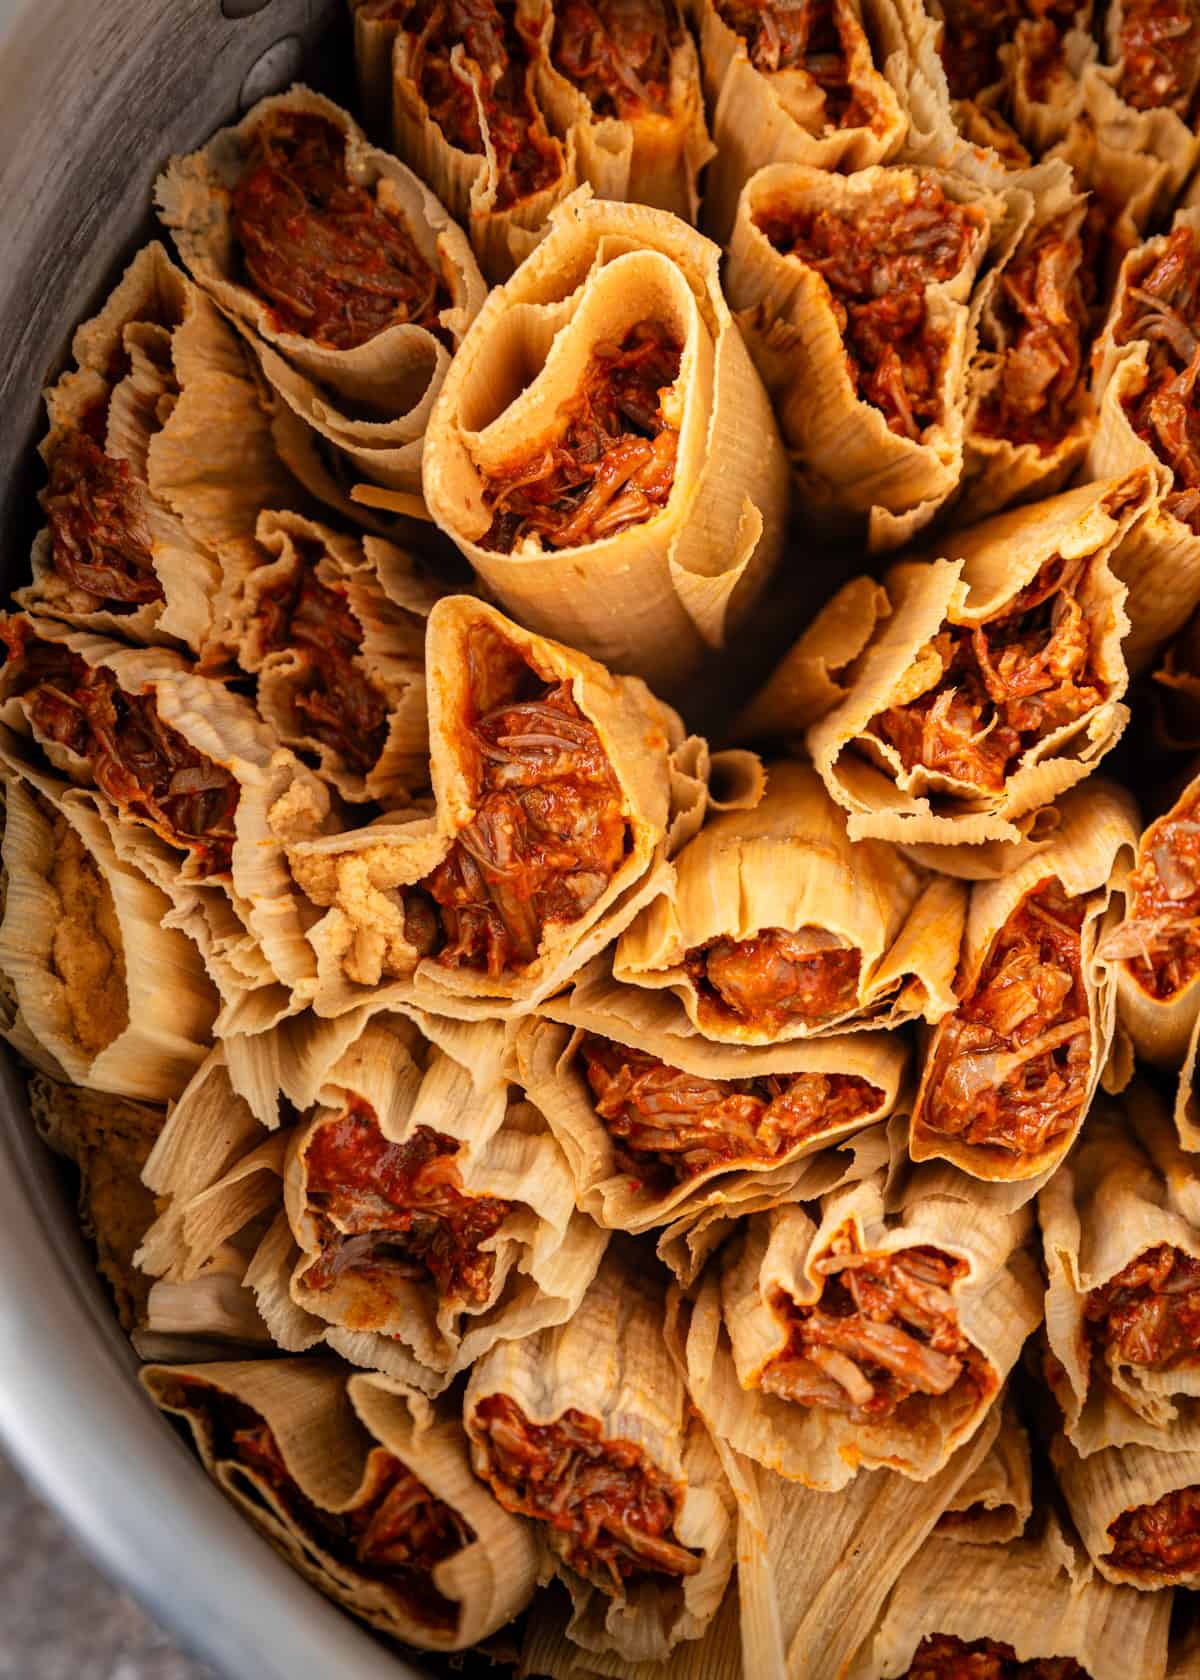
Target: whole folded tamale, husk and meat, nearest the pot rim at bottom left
[{"x": 318, "y": 1462}]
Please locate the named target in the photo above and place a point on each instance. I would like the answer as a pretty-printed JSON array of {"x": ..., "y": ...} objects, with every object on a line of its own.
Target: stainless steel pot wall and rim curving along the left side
[{"x": 95, "y": 95}]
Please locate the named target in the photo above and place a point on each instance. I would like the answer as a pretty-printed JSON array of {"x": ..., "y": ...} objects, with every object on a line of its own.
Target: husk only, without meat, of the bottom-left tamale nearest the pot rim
[{"x": 337, "y": 1439}]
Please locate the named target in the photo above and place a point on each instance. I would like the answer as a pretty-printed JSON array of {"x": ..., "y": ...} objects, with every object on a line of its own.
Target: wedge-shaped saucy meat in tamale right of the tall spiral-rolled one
[{"x": 878, "y": 263}]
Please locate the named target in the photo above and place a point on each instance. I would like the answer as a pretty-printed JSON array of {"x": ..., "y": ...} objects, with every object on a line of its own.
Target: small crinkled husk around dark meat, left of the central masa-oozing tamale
[{"x": 391, "y": 602}]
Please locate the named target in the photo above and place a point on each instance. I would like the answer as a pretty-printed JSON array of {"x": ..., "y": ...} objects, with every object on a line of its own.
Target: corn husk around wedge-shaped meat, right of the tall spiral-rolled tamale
[{"x": 856, "y": 475}]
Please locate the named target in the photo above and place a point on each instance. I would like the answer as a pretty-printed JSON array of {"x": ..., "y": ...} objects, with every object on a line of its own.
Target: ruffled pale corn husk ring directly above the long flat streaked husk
[{"x": 739, "y": 1330}]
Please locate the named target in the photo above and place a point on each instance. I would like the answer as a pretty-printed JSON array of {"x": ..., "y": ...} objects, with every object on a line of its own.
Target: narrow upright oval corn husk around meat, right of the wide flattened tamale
[{"x": 1090, "y": 854}]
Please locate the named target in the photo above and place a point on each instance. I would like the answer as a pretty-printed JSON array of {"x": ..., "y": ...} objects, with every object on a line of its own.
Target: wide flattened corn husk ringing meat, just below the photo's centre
[{"x": 554, "y": 1078}]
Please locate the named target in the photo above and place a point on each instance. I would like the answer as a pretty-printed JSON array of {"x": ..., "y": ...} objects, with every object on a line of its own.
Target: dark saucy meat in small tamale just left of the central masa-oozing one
[{"x": 337, "y": 701}]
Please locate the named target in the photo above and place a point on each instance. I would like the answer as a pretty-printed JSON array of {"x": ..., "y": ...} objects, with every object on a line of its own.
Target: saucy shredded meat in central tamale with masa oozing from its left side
[{"x": 549, "y": 832}]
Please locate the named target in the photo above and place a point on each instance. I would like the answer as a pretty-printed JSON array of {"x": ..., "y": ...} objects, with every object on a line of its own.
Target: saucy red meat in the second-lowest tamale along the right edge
[{"x": 1149, "y": 1315}]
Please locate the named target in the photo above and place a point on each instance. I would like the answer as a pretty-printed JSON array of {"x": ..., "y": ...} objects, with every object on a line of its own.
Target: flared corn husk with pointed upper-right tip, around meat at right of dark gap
[{"x": 984, "y": 574}]
